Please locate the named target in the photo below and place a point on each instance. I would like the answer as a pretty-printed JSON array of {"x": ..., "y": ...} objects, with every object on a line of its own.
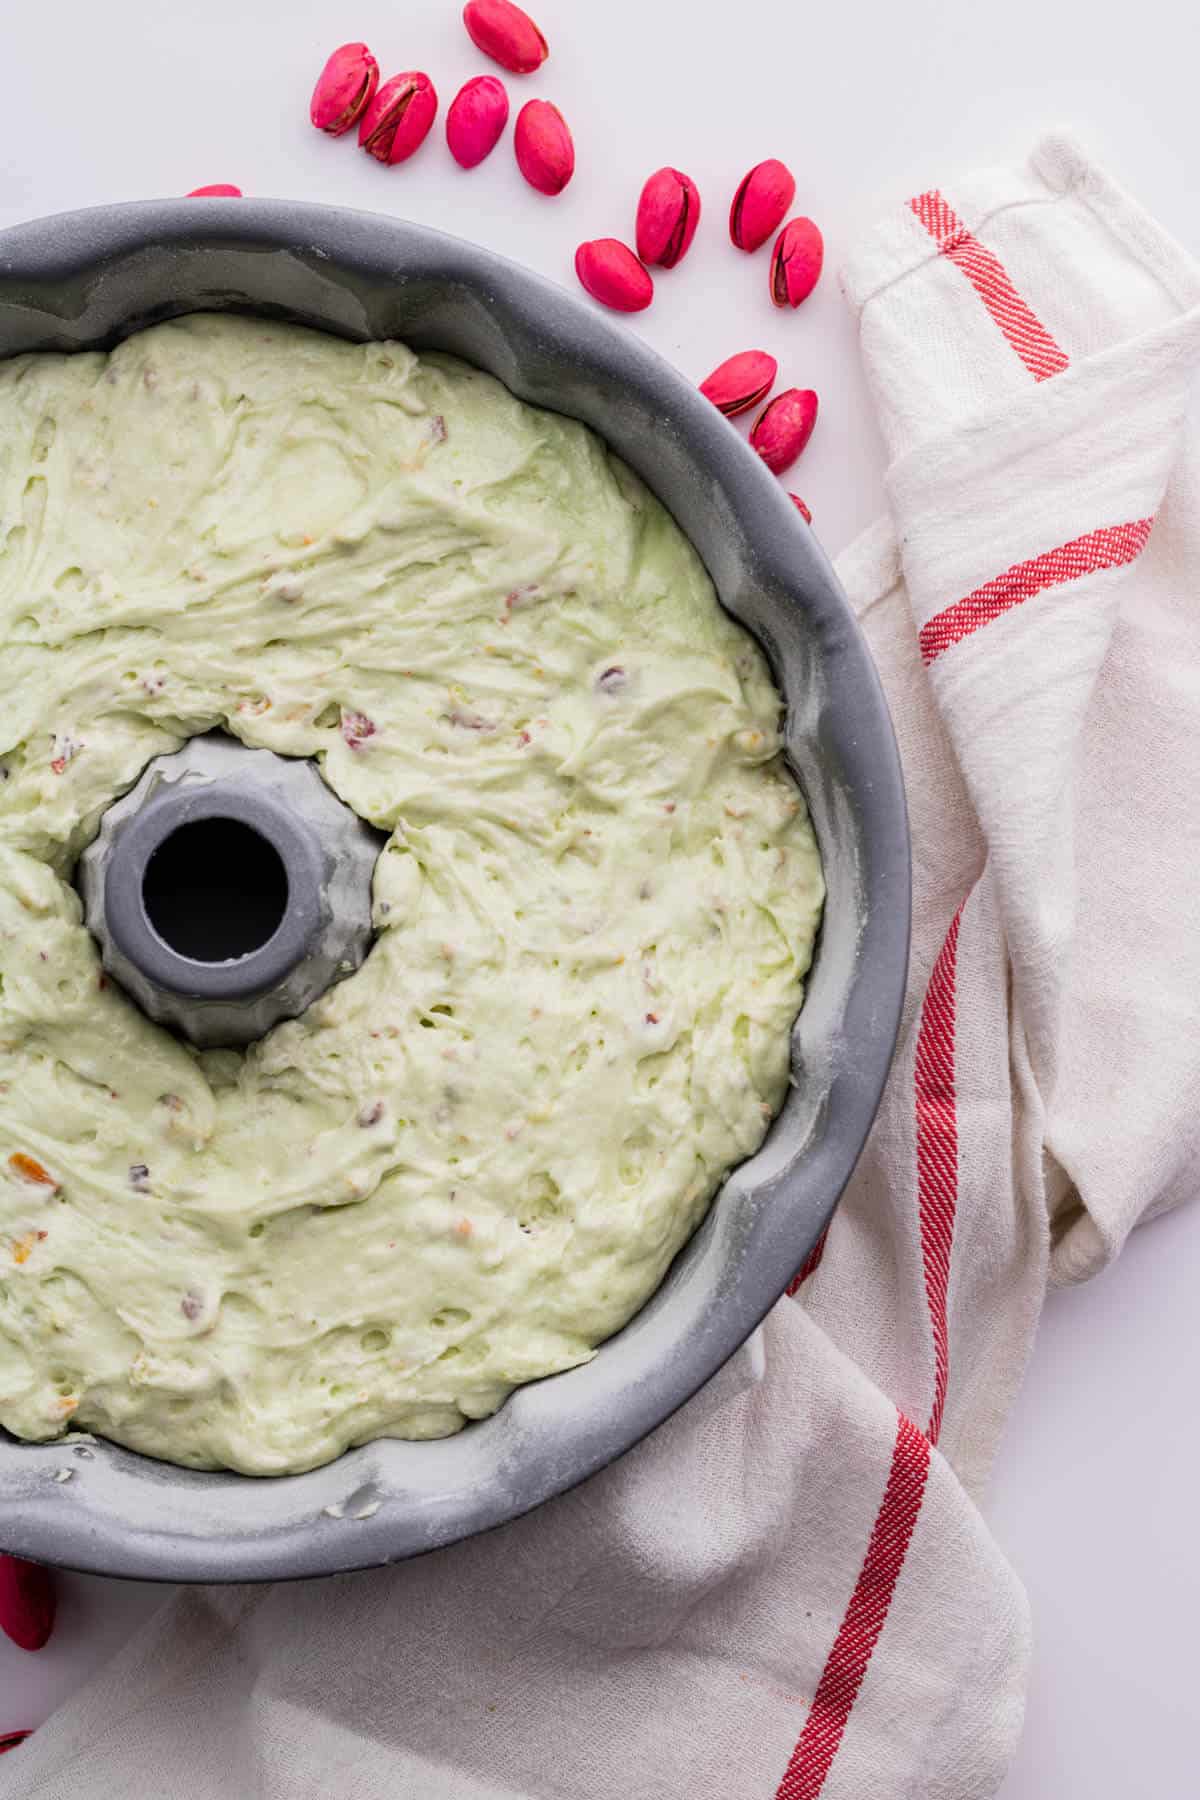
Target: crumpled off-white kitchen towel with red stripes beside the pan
[{"x": 789, "y": 1590}]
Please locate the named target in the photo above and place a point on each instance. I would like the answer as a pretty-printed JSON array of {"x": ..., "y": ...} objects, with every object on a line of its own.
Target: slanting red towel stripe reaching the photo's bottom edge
[{"x": 864, "y": 1617}]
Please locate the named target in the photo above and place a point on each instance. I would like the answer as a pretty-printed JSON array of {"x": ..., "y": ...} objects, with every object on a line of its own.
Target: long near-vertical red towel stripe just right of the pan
[{"x": 938, "y": 1153}]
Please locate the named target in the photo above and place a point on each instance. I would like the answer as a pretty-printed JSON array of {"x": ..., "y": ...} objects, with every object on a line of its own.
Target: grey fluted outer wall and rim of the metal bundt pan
[{"x": 87, "y": 280}]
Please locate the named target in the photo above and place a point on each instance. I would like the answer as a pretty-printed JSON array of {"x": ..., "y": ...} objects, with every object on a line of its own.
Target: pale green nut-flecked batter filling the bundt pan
[{"x": 472, "y": 1160}]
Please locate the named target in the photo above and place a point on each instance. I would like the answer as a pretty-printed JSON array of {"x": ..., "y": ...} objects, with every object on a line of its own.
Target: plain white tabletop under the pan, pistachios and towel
[{"x": 868, "y": 103}]
